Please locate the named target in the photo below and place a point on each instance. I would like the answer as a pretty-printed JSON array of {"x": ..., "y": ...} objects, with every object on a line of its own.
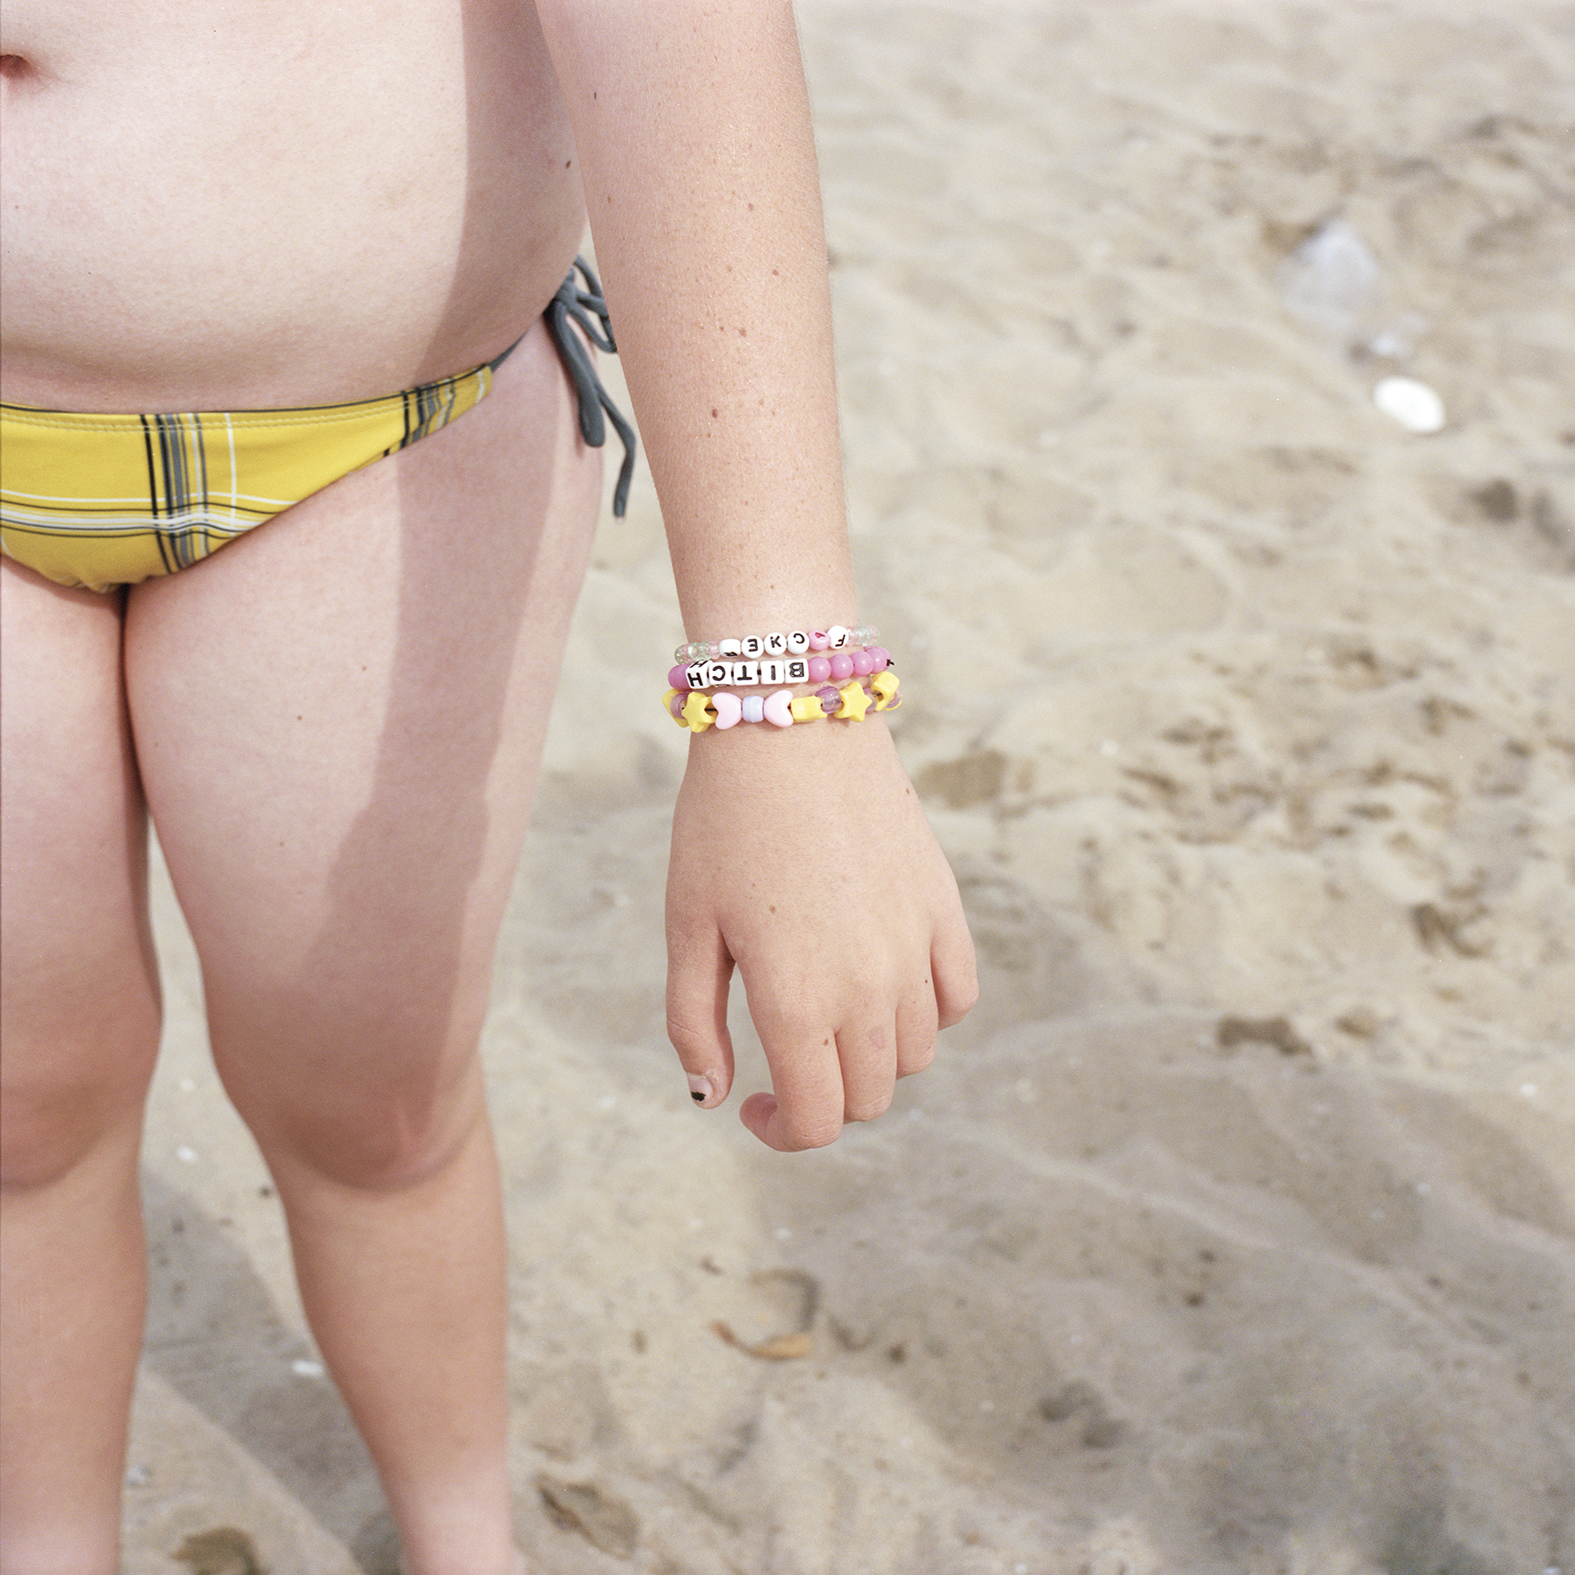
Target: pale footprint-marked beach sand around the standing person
[{"x": 1236, "y": 1232}]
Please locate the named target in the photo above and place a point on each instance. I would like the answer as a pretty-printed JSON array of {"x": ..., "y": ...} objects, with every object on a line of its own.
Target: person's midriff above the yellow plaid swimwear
[{"x": 248, "y": 204}]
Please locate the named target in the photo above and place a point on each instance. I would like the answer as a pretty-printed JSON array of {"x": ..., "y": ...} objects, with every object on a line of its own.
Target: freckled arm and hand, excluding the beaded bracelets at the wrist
[{"x": 799, "y": 856}]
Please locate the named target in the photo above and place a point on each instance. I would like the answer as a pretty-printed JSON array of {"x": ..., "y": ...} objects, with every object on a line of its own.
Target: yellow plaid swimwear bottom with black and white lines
[{"x": 111, "y": 500}]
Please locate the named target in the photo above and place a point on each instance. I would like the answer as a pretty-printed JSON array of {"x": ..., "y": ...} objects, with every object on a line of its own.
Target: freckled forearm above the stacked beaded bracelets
[{"x": 699, "y": 165}]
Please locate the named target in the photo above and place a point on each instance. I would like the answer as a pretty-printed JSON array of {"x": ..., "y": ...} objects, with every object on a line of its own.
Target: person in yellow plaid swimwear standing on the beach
[{"x": 333, "y": 719}]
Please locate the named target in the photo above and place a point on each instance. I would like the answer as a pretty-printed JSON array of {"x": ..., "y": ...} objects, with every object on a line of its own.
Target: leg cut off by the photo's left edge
[{"x": 81, "y": 1034}]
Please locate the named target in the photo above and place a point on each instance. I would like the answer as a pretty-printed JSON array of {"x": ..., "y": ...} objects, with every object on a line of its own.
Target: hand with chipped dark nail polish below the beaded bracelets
[{"x": 804, "y": 859}]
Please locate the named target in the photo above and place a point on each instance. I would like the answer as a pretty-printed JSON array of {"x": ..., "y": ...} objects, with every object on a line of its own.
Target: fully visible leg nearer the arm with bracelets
[{"x": 339, "y": 721}]
